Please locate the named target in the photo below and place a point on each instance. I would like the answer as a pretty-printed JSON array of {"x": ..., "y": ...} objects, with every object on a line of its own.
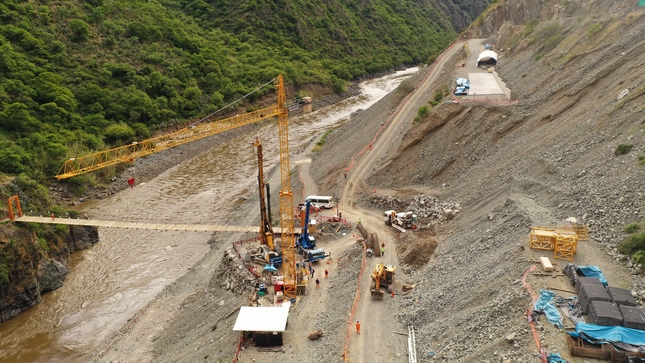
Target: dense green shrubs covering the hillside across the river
[{"x": 78, "y": 77}]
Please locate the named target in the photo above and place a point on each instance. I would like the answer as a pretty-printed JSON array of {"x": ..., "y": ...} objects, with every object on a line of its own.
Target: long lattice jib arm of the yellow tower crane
[{"x": 125, "y": 154}]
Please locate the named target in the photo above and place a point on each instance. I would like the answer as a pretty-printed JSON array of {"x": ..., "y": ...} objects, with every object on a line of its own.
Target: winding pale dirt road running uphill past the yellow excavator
[{"x": 377, "y": 341}]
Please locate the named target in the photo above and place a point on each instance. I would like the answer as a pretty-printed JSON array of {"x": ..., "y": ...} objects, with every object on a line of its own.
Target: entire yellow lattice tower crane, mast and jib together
[{"x": 206, "y": 127}]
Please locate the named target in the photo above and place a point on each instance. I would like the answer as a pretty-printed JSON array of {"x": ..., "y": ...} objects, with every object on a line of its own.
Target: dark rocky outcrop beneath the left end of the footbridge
[{"x": 32, "y": 265}]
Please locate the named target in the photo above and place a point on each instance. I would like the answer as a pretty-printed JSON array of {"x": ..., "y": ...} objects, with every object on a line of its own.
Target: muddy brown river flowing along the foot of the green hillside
[{"x": 113, "y": 280}]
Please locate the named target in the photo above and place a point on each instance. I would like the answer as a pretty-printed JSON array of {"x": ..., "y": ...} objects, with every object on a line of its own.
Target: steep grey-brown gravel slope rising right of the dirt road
[{"x": 577, "y": 73}]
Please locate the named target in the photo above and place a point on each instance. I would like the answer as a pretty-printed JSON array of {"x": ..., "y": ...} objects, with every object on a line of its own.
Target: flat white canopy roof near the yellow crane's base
[{"x": 262, "y": 318}]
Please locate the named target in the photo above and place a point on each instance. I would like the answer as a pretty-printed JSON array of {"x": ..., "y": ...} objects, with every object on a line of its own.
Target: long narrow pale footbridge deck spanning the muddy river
[{"x": 139, "y": 225}]
